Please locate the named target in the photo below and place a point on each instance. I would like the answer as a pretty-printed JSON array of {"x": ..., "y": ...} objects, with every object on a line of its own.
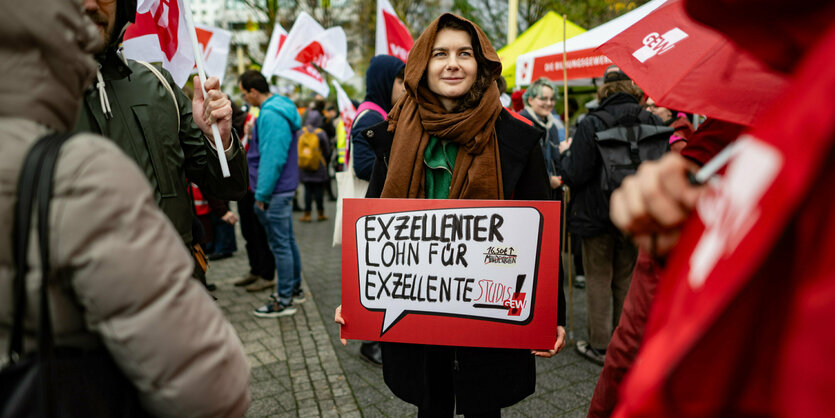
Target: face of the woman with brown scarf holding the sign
[{"x": 452, "y": 67}]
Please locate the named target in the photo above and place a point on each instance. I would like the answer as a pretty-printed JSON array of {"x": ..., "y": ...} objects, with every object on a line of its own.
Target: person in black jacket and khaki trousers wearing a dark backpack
[{"x": 608, "y": 256}]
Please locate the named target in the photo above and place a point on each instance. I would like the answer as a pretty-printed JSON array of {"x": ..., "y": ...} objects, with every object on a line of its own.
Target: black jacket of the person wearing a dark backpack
[{"x": 581, "y": 166}]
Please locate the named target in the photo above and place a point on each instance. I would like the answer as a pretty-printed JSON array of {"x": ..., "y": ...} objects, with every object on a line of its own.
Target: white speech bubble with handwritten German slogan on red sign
[{"x": 477, "y": 263}]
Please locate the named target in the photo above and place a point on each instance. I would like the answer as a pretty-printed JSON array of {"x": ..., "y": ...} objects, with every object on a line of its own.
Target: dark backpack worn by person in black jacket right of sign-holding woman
[{"x": 625, "y": 144}]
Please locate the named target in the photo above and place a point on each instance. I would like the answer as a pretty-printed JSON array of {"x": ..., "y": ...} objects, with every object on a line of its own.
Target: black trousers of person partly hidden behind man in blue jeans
[{"x": 261, "y": 260}]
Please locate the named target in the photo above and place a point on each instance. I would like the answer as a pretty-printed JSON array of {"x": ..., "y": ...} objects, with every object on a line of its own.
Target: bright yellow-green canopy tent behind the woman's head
[{"x": 544, "y": 32}]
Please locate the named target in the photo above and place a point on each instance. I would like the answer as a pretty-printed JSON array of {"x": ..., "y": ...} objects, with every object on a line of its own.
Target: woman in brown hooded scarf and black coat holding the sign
[{"x": 448, "y": 137}]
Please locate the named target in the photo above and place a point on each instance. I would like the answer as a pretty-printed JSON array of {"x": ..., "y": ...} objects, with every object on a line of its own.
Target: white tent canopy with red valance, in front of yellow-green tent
[{"x": 583, "y": 62}]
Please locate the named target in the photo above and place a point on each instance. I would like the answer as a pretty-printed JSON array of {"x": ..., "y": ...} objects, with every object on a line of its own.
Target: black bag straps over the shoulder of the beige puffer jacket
[{"x": 34, "y": 186}]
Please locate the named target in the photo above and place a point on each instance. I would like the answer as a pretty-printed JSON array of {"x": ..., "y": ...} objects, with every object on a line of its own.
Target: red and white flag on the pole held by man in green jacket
[{"x": 159, "y": 35}]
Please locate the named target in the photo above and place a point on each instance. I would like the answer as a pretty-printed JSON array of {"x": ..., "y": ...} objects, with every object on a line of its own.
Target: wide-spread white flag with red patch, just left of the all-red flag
[{"x": 309, "y": 43}]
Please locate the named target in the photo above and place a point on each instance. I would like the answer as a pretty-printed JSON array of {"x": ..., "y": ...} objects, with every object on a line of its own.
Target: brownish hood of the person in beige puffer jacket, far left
[{"x": 46, "y": 60}]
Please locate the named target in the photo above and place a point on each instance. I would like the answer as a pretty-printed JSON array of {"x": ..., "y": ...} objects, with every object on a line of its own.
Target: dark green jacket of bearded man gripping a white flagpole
[{"x": 144, "y": 126}]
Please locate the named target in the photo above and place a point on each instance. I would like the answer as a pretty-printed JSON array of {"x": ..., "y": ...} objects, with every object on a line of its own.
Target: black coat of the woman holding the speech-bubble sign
[{"x": 484, "y": 378}]
